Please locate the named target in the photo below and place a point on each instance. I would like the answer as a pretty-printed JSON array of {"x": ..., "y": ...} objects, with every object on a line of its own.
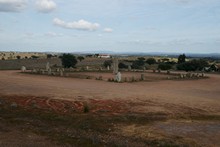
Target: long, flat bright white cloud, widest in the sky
[{"x": 78, "y": 25}]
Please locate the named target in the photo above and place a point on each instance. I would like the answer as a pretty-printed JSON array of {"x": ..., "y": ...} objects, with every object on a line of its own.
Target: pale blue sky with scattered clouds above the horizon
[{"x": 174, "y": 26}]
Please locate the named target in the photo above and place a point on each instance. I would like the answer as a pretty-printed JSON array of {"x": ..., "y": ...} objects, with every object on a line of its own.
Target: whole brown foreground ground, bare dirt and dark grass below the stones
[{"x": 39, "y": 110}]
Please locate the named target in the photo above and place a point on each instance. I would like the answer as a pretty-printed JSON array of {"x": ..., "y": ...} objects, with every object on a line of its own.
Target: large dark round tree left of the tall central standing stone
[{"x": 68, "y": 60}]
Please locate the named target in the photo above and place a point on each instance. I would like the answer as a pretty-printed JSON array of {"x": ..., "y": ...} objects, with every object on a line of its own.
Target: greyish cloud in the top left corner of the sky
[{"x": 12, "y": 5}]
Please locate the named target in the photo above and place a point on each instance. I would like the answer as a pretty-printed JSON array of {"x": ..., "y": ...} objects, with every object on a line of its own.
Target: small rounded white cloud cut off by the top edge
[{"x": 45, "y": 6}]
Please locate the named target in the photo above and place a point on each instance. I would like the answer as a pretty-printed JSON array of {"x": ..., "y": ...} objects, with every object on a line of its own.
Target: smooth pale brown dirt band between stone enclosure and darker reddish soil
[{"x": 201, "y": 94}]
